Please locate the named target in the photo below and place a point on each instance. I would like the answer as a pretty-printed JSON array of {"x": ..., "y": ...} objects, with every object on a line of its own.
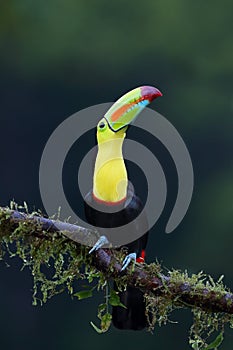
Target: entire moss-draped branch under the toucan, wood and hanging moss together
[{"x": 40, "y": 241}]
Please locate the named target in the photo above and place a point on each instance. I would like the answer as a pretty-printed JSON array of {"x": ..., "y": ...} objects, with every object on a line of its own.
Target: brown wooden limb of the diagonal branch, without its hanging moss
[{"x": 182, "y": 290}]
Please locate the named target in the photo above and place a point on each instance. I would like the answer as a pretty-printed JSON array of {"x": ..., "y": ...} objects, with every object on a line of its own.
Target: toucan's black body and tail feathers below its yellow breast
[{"x": 133, "y": 317}]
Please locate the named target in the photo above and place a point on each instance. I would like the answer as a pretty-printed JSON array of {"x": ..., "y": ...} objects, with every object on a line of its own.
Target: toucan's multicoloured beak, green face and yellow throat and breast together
[{"x": 110, "y": 179}]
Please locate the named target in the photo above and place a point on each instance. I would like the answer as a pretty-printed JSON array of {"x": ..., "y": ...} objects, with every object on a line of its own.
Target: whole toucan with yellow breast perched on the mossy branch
[{"x": 111, "y": 190}]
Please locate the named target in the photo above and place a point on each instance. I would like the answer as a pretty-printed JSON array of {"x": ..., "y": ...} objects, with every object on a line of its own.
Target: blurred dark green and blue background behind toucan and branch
[{"x": 58, "y": 57}]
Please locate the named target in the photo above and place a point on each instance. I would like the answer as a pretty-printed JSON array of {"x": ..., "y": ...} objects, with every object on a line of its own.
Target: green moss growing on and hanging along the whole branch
[{"x": 57, "y": 263}]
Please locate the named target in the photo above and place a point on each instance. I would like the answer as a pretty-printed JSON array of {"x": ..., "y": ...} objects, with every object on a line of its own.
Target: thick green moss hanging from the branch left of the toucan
[{"x": 44, "y": 253}]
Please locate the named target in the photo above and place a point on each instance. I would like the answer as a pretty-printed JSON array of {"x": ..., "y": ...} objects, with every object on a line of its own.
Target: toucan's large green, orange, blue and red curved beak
[{"x": 126, "y": 109}]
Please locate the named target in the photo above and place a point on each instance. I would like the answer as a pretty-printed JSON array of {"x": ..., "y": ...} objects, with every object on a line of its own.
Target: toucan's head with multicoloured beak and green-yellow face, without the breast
[{"x": 123, "y": 112}]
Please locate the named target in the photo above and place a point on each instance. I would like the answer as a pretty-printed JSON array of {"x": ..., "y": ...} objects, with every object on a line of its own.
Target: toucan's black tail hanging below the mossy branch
[{"x": 133, "y": 316}]
